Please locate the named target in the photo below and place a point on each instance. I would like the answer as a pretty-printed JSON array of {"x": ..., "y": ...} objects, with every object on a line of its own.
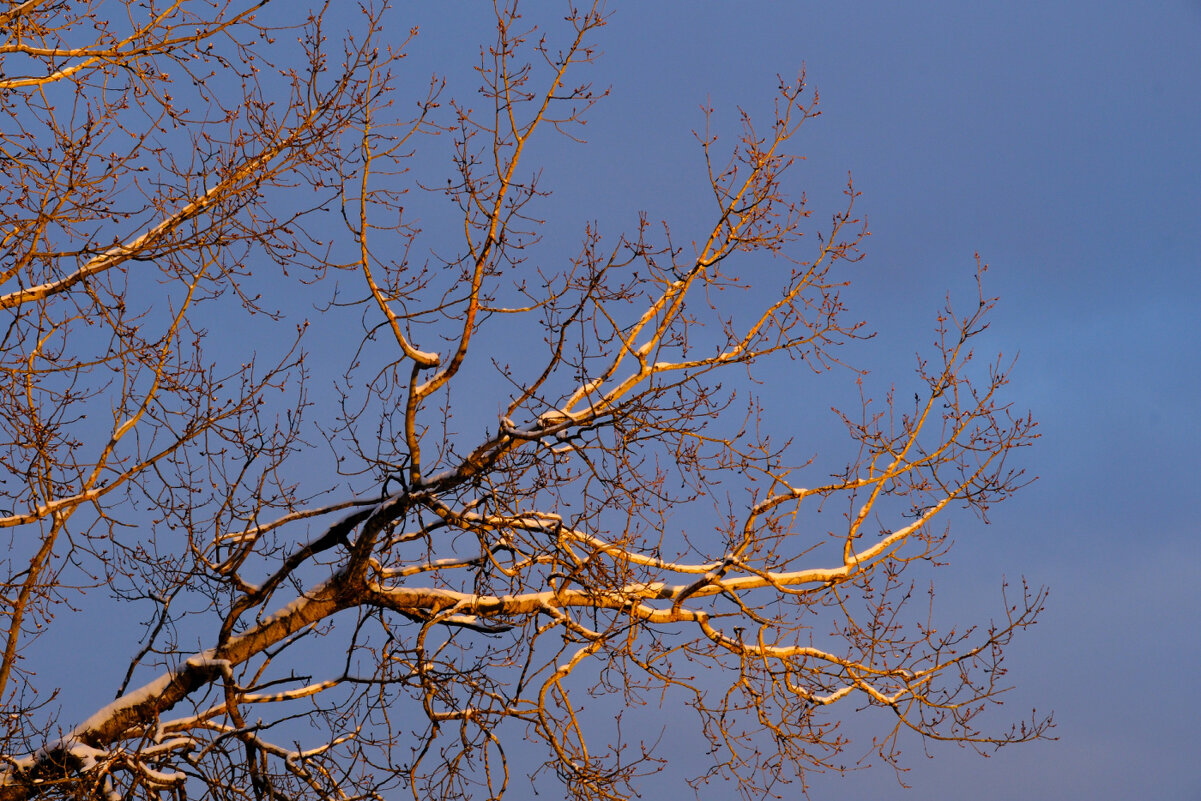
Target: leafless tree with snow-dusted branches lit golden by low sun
[{"x": 354, "y": 591}]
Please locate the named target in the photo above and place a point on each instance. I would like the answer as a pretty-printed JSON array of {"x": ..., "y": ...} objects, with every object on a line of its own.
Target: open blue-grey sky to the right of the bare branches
[{"x": 1062, "y": 141}]
